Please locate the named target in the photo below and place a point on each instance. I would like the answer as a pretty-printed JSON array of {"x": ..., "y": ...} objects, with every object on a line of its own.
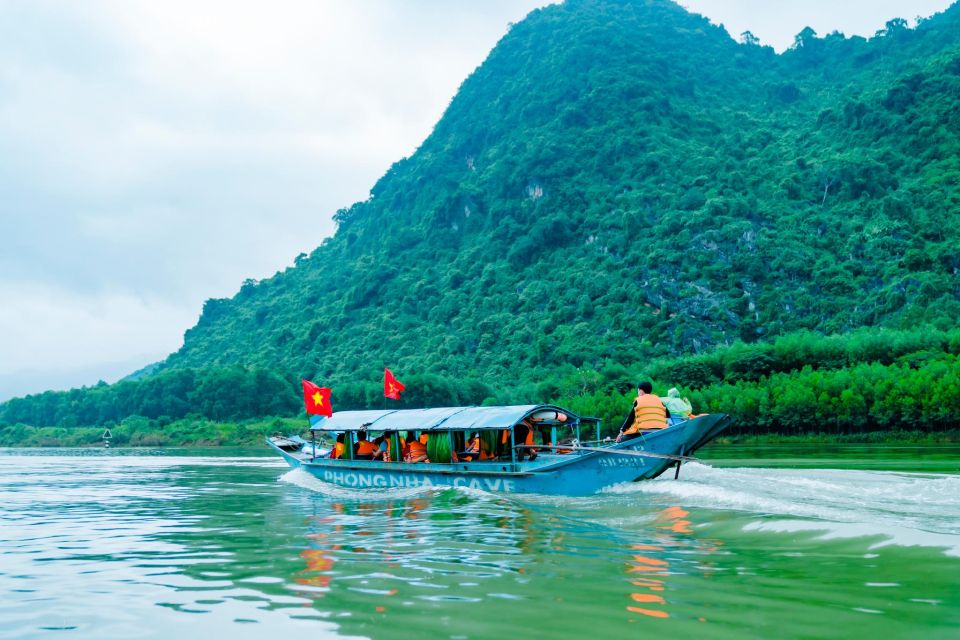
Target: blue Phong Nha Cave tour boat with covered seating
[{"x": 562, "y": 463}]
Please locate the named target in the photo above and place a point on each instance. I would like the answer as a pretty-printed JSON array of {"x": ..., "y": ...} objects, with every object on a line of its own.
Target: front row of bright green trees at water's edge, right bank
[{"x": 917, "y": 393}]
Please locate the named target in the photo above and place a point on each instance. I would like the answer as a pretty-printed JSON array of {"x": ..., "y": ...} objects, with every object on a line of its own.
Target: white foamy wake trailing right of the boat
[{"x": 907, "y": 509}]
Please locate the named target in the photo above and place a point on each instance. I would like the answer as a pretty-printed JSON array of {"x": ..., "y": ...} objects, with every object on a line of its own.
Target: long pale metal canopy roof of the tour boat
[{"x": 440, "y": 419}]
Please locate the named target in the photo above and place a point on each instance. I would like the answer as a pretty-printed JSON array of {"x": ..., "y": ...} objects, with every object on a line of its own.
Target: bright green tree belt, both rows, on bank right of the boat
[{"x": 866, "y": 381}]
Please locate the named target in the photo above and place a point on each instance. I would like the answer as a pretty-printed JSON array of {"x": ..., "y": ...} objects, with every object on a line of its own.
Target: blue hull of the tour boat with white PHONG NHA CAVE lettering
[{"x": 579, "y": 473}]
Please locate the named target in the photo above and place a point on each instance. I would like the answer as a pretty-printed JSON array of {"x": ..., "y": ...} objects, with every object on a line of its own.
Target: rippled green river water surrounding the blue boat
[{"x": 776, "y": 542}]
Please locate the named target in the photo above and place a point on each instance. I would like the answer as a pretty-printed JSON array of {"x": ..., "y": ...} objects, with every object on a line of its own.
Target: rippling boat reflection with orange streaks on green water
[{"x": 440, "y": 550}]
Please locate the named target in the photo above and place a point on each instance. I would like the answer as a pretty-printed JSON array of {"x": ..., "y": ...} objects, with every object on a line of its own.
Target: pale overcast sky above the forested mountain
[{"x": 156, "y": 153}]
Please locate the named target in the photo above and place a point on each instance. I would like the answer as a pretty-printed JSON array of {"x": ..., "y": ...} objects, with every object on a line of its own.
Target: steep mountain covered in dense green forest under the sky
[{"x": 622, "y": 181}]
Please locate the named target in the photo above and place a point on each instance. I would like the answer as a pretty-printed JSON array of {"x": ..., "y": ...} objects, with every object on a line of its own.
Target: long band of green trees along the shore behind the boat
[{"x": 868, "y": 385}]
